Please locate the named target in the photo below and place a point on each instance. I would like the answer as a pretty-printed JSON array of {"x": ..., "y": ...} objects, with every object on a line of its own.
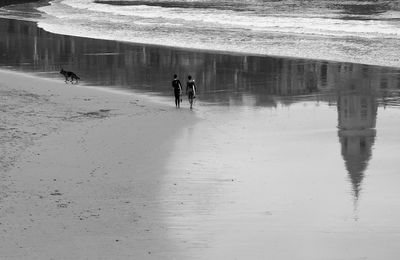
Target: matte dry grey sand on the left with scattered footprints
[{"x": 79, "y": 169}]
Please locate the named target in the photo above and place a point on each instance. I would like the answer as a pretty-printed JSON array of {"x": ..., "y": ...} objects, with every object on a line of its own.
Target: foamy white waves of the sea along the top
[{"x": 365, "y": 32}]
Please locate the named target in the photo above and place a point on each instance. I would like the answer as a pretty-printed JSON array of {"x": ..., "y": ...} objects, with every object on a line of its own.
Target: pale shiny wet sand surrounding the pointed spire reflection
[{"x": 284, "y": 183}]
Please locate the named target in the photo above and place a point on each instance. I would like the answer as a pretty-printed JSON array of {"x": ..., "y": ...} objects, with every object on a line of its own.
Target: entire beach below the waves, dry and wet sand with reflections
[{"x": 280, "y": 158}]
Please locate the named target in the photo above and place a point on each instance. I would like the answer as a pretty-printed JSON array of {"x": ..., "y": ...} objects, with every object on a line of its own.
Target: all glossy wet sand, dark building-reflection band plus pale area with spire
[{"x": 291, "y": 159}]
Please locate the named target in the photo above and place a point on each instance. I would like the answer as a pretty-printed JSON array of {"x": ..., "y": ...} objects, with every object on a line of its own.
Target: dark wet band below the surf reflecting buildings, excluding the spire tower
[{"x": 221, "y": 78}]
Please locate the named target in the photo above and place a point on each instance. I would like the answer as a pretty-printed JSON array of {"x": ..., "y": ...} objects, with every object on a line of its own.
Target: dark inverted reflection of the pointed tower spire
[{"x": 357, "y": 112}]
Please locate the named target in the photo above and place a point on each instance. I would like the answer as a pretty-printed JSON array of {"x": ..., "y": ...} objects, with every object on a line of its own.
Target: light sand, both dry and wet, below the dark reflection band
[{"x": 94, "y": 174}]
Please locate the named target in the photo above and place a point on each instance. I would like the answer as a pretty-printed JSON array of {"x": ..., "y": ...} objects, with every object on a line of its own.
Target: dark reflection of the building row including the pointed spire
[{"x": 222, "y": 79}]
